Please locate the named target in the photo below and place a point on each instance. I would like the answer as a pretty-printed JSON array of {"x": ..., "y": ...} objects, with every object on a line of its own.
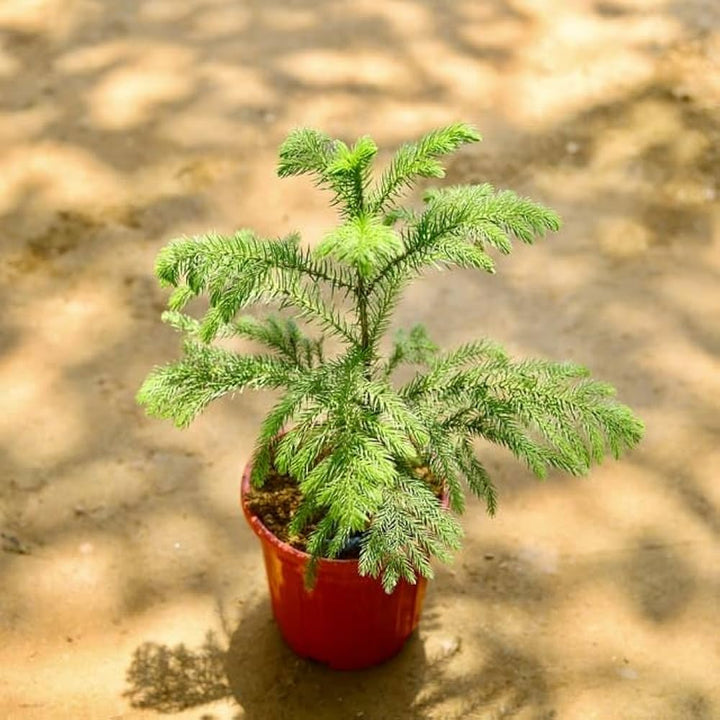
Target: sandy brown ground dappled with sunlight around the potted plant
[{"x": 123, "y": 124}]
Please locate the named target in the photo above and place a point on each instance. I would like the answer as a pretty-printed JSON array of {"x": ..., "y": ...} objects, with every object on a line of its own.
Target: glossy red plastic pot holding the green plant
[{"x": 346, "y": 621}]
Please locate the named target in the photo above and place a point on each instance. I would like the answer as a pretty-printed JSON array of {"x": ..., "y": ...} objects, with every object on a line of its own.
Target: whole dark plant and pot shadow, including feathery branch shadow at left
[{"x": 269, "y": 682}]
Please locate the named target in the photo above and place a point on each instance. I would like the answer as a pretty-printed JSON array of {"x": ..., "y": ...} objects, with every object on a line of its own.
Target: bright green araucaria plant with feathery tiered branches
[{"x": 359, "y": 446}]
